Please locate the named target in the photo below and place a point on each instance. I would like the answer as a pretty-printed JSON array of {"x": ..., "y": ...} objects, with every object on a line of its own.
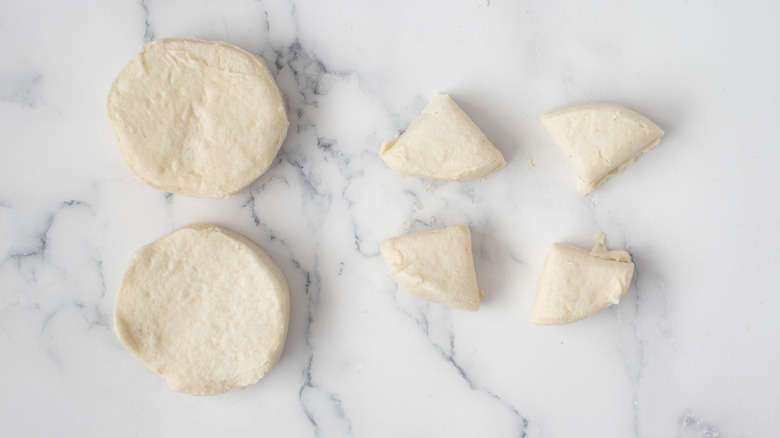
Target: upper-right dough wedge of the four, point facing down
[{"x": 600, "y": 139}]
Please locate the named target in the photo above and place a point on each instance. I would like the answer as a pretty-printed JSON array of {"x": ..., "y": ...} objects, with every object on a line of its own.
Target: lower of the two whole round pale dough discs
[{"x": 205, "y": 308}]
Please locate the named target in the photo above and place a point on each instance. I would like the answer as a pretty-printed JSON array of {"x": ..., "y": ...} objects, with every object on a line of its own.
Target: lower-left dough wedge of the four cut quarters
[{"x": 436, "y": 266}]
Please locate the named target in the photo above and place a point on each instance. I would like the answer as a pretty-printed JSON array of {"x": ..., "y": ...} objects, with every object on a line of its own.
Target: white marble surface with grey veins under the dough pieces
[{"x": 692, "y": 351}]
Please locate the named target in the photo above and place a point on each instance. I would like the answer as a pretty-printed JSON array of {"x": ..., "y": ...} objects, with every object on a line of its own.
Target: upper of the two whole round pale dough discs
[{"x": 197, "y": 118}]
